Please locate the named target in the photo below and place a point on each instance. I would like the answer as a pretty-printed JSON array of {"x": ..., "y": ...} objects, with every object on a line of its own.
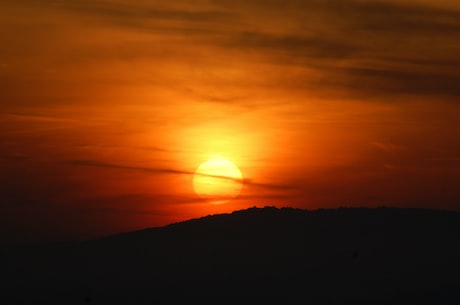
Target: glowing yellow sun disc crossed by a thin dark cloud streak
[{"x": 217, "y": 180}]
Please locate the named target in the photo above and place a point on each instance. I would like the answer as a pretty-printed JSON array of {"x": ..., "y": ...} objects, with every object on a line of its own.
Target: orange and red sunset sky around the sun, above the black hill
[{"x": 108, "y": 107}]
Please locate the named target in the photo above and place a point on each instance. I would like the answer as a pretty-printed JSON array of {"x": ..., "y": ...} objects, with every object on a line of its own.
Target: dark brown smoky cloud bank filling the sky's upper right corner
[{"x": 370, "y": 47}]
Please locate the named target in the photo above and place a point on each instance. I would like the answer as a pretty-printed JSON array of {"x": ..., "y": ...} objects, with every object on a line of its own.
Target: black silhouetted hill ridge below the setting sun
[{"x": 259, "y": 255}]
